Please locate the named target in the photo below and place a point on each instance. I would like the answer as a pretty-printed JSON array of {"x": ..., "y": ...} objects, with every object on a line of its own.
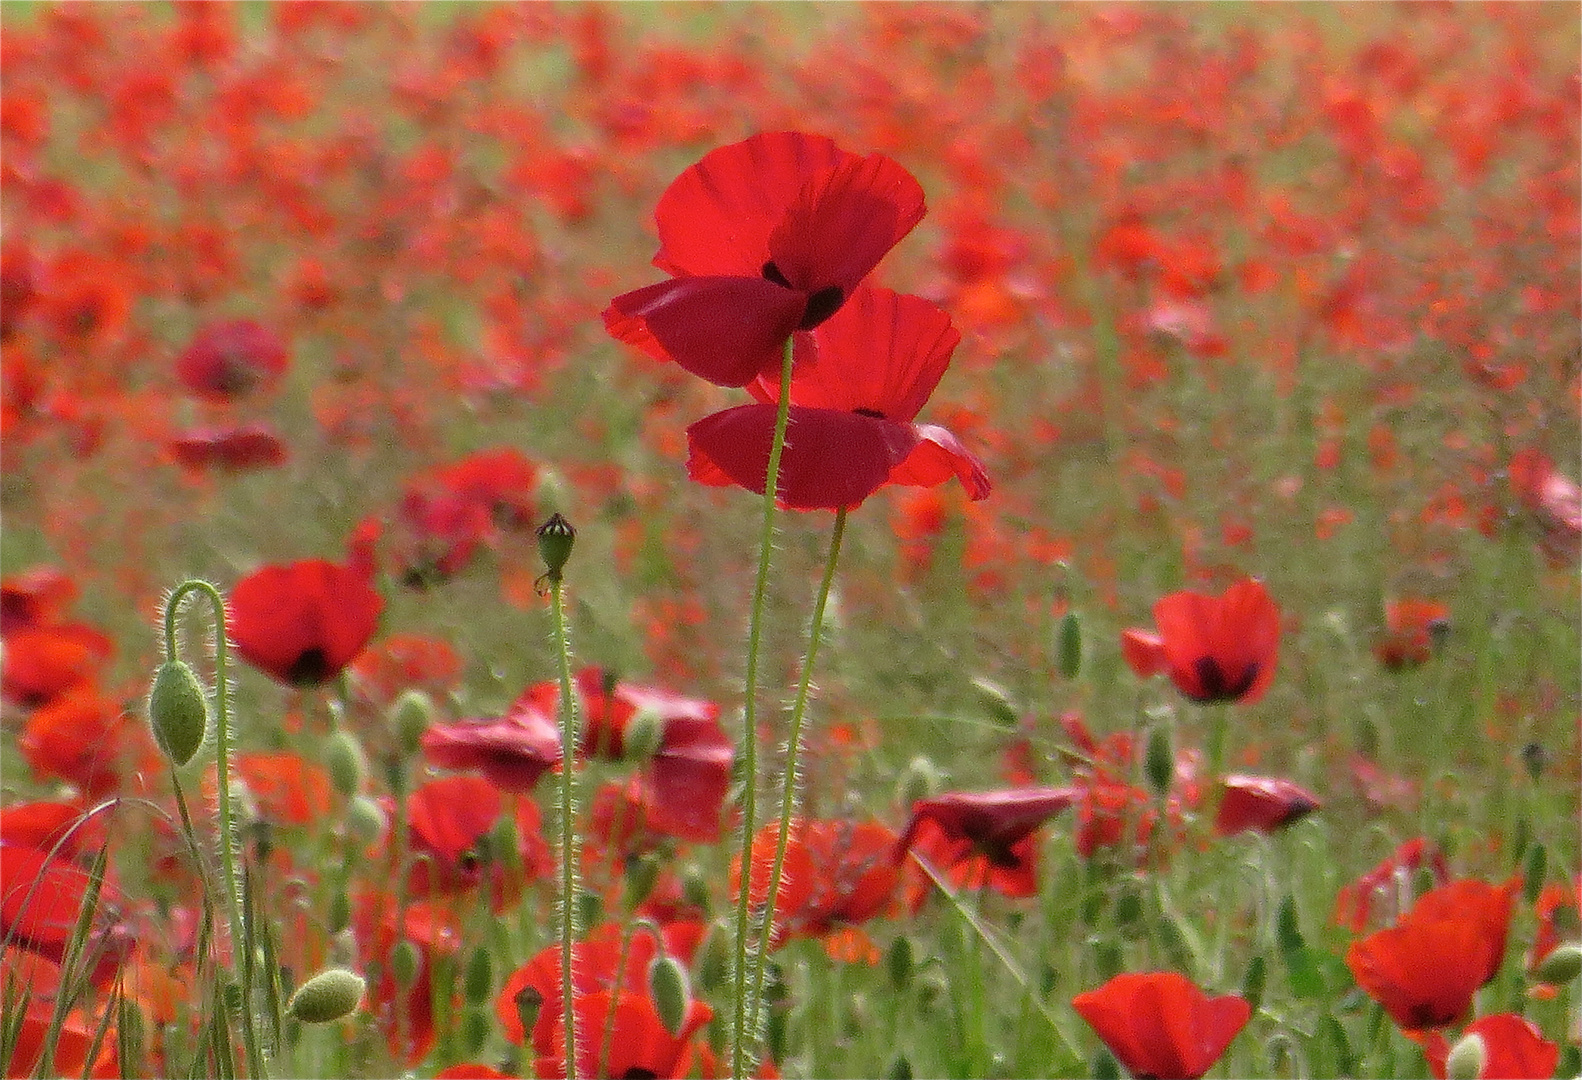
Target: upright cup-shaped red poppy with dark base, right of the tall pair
[{"x": 1221, "y": 648}]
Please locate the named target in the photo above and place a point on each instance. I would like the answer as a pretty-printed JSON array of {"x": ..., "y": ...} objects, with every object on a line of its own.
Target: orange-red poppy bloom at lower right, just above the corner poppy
[{"x": 1428, "y": 967}]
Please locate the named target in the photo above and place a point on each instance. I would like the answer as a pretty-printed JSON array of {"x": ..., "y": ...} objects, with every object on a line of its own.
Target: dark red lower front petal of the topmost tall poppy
[{"x": 724, "y": 330}]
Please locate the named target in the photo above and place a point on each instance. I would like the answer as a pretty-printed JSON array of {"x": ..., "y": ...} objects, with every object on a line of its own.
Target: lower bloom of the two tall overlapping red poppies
[{"x": 860, "y": 383}]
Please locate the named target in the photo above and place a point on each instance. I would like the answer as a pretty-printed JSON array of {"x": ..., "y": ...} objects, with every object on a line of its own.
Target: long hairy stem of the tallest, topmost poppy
[{"x": 744, "y": 1040}]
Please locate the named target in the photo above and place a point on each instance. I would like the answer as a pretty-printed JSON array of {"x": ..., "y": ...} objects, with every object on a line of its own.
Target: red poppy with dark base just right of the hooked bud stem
[{"x": 305, "y": 622}]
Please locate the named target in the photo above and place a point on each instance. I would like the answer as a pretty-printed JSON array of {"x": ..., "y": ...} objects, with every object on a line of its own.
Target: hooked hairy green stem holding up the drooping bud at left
[{"x": 241, "y": 940}]
